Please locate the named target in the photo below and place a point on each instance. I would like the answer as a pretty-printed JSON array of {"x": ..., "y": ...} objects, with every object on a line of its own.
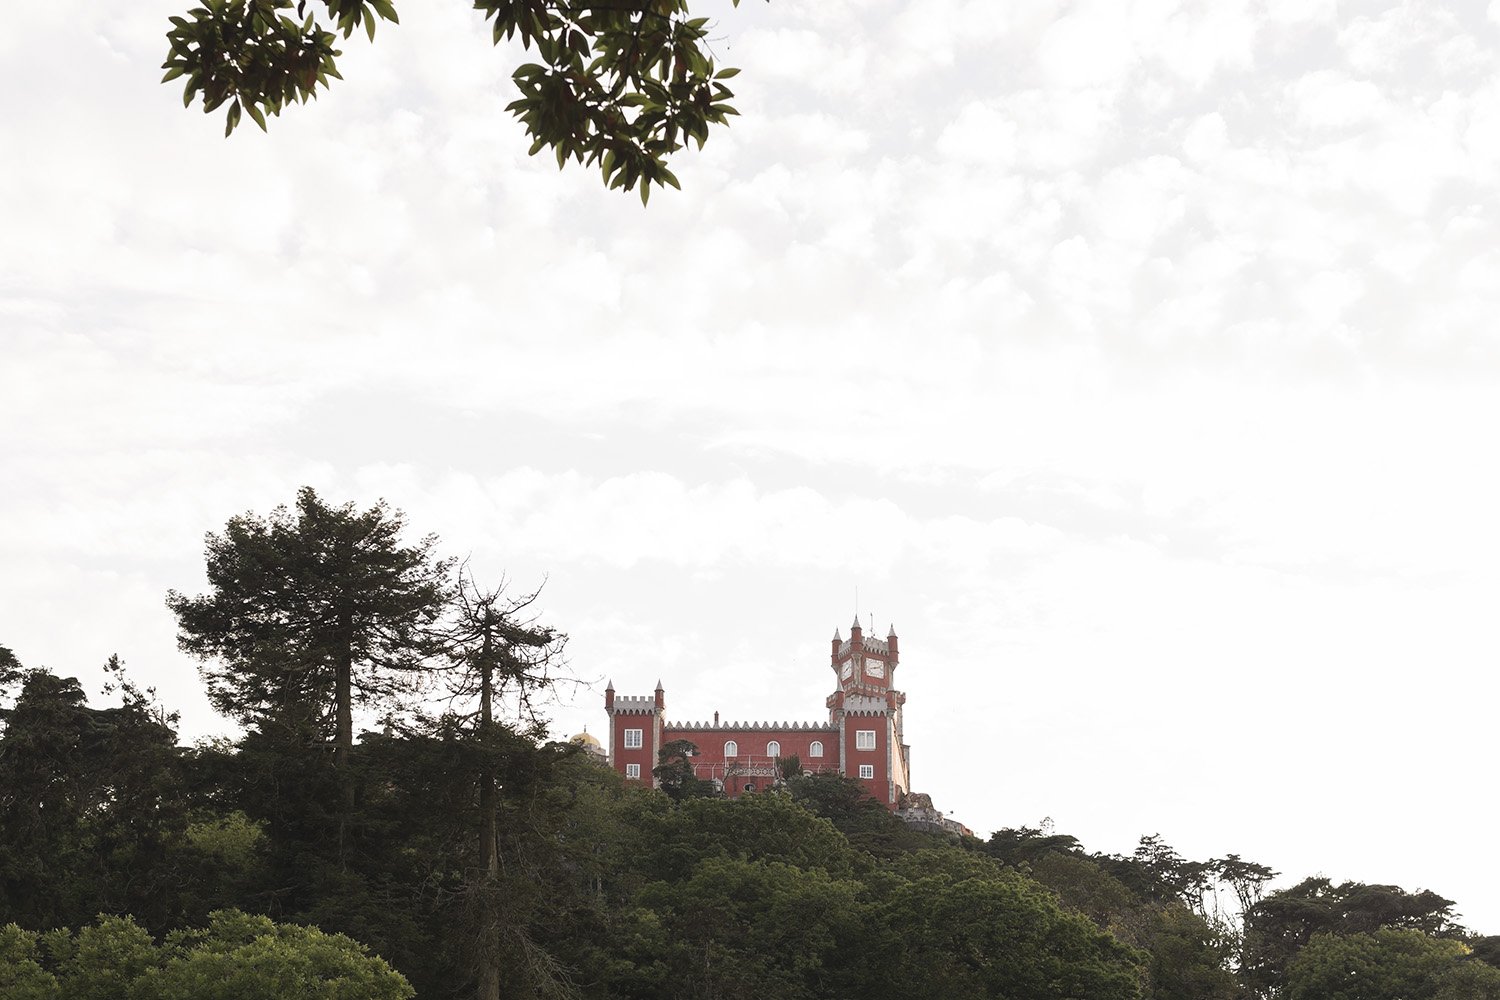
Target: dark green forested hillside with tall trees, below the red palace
[{"x": 464, "y": 854}]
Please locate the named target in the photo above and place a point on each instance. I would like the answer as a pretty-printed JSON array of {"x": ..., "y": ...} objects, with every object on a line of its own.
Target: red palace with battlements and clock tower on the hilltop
[{"x": 862, "y": 738}]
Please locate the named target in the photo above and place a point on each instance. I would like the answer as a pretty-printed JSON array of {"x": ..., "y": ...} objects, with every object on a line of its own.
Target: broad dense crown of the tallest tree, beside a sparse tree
[{"x": 311, "y": 612}]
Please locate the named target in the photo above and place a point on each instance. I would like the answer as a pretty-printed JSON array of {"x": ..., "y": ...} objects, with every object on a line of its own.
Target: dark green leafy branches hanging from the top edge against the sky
[{"x": 620, "y": 85}]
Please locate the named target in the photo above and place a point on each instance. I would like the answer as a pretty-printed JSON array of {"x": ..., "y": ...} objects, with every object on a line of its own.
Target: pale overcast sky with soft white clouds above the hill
[{"x": 1136, "y": 361}]
